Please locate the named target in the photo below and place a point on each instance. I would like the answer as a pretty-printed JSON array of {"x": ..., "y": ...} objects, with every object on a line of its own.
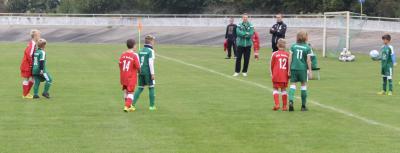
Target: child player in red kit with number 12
[{"x": 279, "y": 73}]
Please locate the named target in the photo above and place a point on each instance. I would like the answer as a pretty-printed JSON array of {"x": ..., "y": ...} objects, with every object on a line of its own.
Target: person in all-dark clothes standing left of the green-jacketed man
[{"x": 230, "y": 37}]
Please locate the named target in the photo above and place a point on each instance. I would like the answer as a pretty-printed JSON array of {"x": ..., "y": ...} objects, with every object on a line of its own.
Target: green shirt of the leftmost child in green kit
[{"x": 39, "y": 57}]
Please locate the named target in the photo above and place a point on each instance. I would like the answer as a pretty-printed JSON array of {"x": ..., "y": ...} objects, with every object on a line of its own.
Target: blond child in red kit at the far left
[{"x": 26, "y": 65}]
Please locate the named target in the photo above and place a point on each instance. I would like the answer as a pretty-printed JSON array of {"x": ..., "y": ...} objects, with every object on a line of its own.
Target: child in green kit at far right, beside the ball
[{"x": 386, "y": 57}]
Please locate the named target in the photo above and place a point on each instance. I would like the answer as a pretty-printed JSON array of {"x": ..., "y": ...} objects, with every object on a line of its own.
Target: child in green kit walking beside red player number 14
[{"x": 146, "y": 76}]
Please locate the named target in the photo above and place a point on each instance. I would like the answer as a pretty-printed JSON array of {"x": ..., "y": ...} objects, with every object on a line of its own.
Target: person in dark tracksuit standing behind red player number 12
[{"x": 278, "y": 31}]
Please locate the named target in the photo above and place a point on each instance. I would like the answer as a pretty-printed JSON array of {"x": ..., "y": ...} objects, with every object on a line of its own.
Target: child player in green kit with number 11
[{"x": 300, "y": 68}]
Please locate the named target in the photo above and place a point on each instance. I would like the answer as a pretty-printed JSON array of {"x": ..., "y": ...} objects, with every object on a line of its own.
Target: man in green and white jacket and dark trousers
[{"x": 244, "y": 31}]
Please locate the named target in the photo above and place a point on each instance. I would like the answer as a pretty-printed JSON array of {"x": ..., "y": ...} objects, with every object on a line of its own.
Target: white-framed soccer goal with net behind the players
[{"x": 340, "y": 28}]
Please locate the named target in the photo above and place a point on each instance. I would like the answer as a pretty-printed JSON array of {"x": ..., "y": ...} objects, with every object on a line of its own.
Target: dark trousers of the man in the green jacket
[{"x": 245, "y": 53}]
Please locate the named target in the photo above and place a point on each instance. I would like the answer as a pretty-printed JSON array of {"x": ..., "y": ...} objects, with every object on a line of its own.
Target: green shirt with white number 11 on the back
[{"x": 299, "y": 52}]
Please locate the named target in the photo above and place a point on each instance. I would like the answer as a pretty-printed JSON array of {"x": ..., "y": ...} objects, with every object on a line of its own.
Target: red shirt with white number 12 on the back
[{"x": 279, "y": 66}]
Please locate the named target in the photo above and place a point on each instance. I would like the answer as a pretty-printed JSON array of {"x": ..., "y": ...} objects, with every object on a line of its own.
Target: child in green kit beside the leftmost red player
[{"x": 39, "y": 70}]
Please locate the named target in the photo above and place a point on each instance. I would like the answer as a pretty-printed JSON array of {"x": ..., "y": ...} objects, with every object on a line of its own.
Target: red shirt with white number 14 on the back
[{"x": 129, "y": 66}]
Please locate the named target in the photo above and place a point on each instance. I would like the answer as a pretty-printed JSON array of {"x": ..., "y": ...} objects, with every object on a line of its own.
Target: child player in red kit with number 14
[{"x": 129, "y": 66}]
